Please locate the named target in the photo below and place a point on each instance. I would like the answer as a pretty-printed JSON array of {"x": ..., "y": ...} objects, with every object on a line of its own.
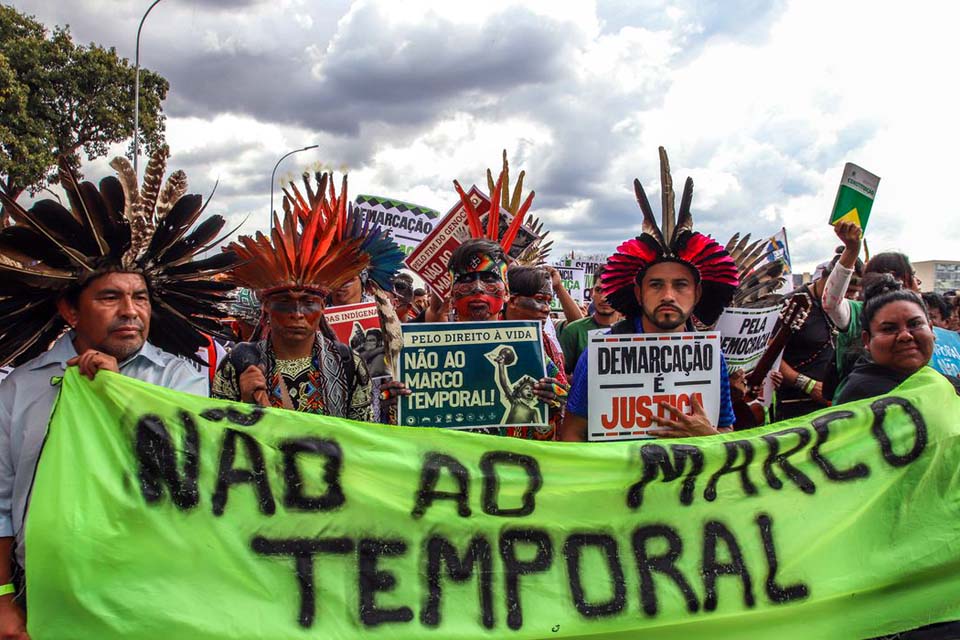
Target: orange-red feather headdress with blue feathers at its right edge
[{"x": 321, "y": 243}]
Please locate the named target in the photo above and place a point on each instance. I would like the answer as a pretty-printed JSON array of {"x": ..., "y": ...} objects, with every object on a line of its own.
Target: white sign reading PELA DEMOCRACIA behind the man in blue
[{"x": 744, "y": 337}]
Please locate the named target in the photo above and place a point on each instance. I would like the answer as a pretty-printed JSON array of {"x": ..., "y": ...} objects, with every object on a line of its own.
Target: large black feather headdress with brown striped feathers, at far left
[{"x": 119, "y": 226}]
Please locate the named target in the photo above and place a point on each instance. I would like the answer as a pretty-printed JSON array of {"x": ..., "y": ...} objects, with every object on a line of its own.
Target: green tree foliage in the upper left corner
[{"x": 60, "y": 98}]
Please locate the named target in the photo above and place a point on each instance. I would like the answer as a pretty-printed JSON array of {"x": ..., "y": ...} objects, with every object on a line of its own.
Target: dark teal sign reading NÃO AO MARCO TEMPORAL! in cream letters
[{"x": 472, "y": 374}]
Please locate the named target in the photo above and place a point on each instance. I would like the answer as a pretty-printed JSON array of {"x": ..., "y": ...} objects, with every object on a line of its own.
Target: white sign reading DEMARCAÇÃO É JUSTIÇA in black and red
[{"x": 630, "y": 374}]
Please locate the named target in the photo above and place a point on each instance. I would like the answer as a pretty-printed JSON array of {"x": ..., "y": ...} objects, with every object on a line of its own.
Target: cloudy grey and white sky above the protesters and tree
[{"x": 761, "y": 103}]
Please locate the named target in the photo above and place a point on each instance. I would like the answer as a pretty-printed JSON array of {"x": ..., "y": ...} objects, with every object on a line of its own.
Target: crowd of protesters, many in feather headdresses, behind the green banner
[{"x": 115, "y": 282}]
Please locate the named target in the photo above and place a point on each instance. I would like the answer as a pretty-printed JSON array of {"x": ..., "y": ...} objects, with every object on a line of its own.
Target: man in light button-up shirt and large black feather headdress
[{"x": 91, "y": 280}]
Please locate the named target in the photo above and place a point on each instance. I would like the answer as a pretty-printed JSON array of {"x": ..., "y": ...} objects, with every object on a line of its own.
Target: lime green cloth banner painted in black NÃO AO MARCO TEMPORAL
[{"x": 158, "y": 515}]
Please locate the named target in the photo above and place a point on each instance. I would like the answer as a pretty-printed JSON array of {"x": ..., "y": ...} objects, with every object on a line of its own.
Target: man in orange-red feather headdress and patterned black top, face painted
[{"x": 300, "y": 365}]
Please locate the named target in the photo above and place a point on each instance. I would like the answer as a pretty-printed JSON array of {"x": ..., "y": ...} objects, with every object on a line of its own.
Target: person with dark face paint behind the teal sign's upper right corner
[{"x": 531, "y": 292}]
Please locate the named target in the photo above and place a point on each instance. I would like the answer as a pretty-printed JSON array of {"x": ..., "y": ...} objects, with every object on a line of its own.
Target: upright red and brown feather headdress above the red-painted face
[{"x": 521, "y": 237}]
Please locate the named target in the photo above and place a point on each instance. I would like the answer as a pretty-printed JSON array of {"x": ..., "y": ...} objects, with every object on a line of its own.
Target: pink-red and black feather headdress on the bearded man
[{"x": 674, "y": 241}]
